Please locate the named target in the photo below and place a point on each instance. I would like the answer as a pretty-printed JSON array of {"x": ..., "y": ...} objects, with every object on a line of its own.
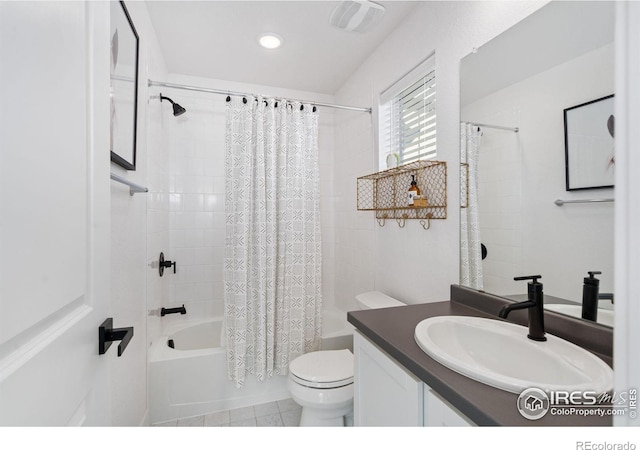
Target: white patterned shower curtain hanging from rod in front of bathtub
[{"x": 272, "y": 269}]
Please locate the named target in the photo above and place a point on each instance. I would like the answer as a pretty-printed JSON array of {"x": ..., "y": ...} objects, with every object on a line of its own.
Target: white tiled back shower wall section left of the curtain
[{"x": 196, "y": 199}]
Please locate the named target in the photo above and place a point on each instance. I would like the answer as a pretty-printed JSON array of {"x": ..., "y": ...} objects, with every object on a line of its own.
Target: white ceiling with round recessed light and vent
[{"x": 218, "y": 39}]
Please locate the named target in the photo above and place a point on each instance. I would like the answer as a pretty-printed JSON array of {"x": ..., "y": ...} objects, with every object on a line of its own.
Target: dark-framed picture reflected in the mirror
[{"x": 589, "y": 130}]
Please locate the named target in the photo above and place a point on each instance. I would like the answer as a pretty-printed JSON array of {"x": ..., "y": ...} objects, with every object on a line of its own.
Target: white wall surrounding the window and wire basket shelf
[{"x": 410, "y": 264}]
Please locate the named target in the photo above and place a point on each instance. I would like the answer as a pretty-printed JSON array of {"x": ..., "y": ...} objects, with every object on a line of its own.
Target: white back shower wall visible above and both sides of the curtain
[{"x": 196, "y": 187}]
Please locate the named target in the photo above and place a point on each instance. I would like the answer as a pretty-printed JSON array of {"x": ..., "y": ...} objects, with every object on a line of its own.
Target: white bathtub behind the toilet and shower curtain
[{"x": 190, "y": 379}]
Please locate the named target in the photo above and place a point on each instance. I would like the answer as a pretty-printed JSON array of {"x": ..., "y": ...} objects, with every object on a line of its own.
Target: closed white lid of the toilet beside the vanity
[{"x": 327, "y": 367}]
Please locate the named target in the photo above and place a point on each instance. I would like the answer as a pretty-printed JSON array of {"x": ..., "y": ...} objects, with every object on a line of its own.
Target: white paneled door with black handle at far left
[{"x": 54, "y": 212}]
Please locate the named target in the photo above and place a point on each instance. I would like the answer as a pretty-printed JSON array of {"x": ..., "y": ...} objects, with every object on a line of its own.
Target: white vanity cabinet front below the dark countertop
[{"x": 387, "y": 394}]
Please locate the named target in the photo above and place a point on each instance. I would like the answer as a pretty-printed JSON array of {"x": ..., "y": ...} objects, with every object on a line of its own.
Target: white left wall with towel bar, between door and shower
[{"x": 129, "y": 240}]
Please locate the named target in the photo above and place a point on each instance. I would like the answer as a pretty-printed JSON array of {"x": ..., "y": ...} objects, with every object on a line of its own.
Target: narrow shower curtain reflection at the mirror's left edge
[{"x": 470, "y": 251}]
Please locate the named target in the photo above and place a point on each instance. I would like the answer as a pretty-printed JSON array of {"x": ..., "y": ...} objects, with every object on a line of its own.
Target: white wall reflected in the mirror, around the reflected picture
[{"x": 521, "y": 175}]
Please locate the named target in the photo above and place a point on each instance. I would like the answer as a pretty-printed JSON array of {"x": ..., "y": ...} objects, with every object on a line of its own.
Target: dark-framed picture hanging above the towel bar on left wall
[{"x": 124, "y": 86}]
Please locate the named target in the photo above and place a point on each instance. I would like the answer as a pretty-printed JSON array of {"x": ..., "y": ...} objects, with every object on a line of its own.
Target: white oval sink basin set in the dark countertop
[{"x": 499, "y": 354}]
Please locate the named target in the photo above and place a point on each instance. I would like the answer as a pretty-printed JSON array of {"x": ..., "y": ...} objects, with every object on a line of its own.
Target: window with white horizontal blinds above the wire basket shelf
[{"x": 407, "y": 117}]
